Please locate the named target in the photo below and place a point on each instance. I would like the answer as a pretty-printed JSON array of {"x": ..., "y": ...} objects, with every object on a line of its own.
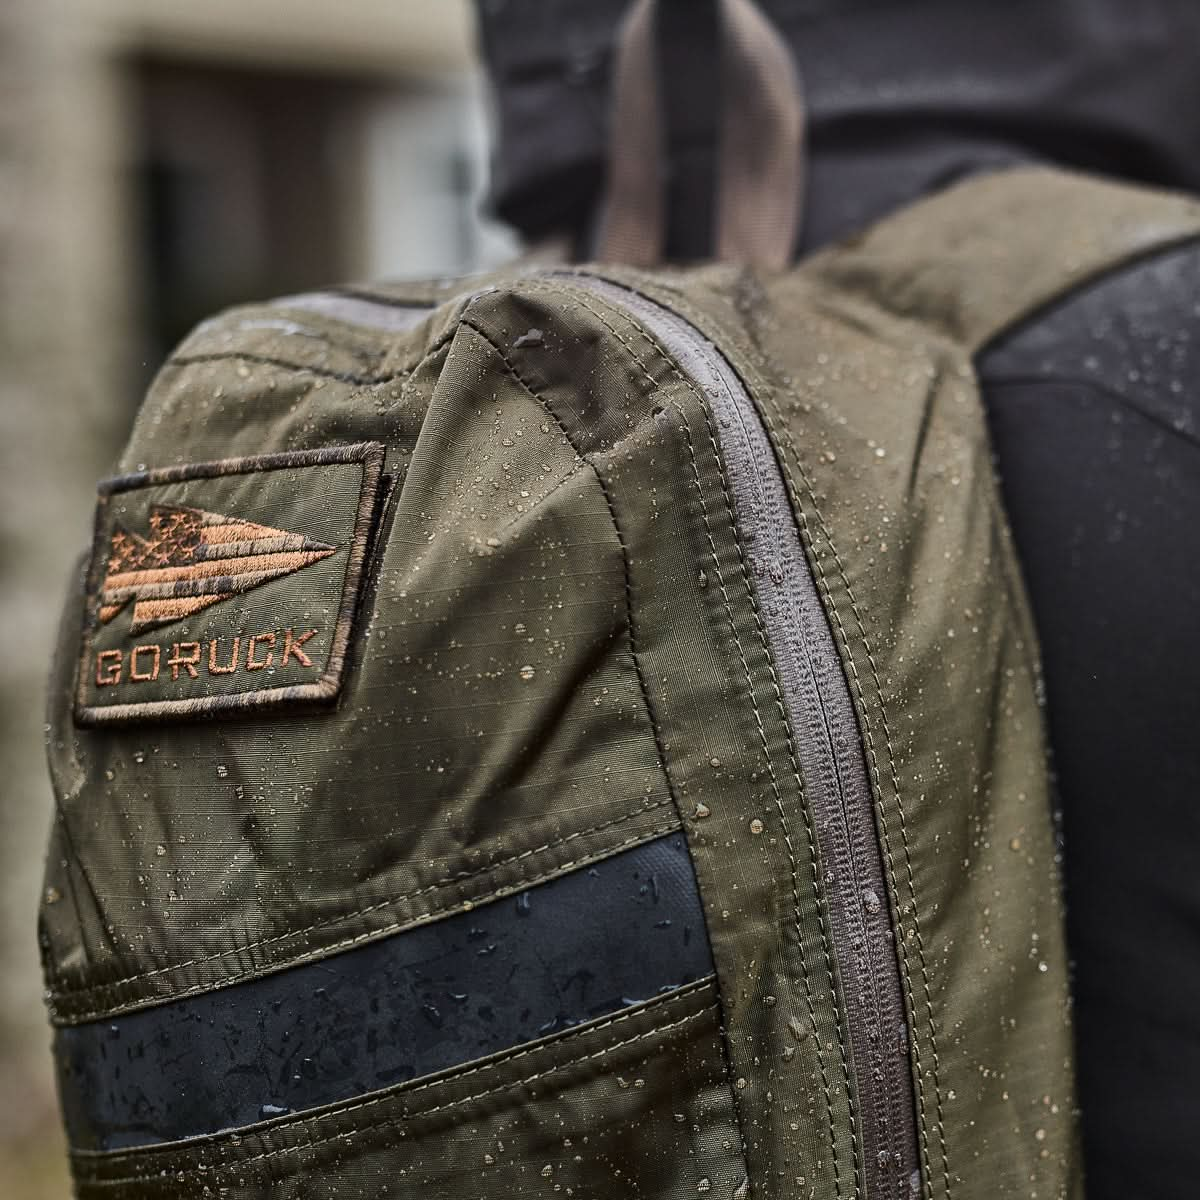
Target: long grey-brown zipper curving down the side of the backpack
[{"x": 829, "y": 746}]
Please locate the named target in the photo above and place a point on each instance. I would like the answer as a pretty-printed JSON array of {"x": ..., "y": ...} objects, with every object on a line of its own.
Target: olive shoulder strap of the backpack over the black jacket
[{"x": 975, "y": 260}]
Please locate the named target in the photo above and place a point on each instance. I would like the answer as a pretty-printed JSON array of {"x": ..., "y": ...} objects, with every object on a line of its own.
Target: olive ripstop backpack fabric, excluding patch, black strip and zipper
[{"x": 559, "y": 655}]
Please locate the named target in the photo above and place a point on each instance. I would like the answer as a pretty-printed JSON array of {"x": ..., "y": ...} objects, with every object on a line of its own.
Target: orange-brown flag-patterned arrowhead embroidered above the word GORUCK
[{"x": 194, "y": 560}]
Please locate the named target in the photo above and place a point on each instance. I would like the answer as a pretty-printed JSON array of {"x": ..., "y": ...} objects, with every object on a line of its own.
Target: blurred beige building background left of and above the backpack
[{"x": 161, "y": 160}]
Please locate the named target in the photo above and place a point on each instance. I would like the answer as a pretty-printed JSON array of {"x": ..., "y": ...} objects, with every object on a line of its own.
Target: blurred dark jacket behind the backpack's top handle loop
[{"x": 903, "y": 97}]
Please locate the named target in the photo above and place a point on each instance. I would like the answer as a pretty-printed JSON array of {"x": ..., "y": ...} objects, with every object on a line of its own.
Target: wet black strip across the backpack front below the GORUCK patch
[{"x": 566, "y": 952}]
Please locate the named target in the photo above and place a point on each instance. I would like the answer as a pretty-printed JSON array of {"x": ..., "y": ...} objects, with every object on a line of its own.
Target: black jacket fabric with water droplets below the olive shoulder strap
[{"x": 1096, "y": 424}]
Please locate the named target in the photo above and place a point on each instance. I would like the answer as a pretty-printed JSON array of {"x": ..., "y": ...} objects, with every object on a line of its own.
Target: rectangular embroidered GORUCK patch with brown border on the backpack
[{"x": 226, "y": 586}]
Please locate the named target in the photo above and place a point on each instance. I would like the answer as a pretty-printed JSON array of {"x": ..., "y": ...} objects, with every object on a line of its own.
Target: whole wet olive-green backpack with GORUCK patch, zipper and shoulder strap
[{"x": 410, "y": 601}]
